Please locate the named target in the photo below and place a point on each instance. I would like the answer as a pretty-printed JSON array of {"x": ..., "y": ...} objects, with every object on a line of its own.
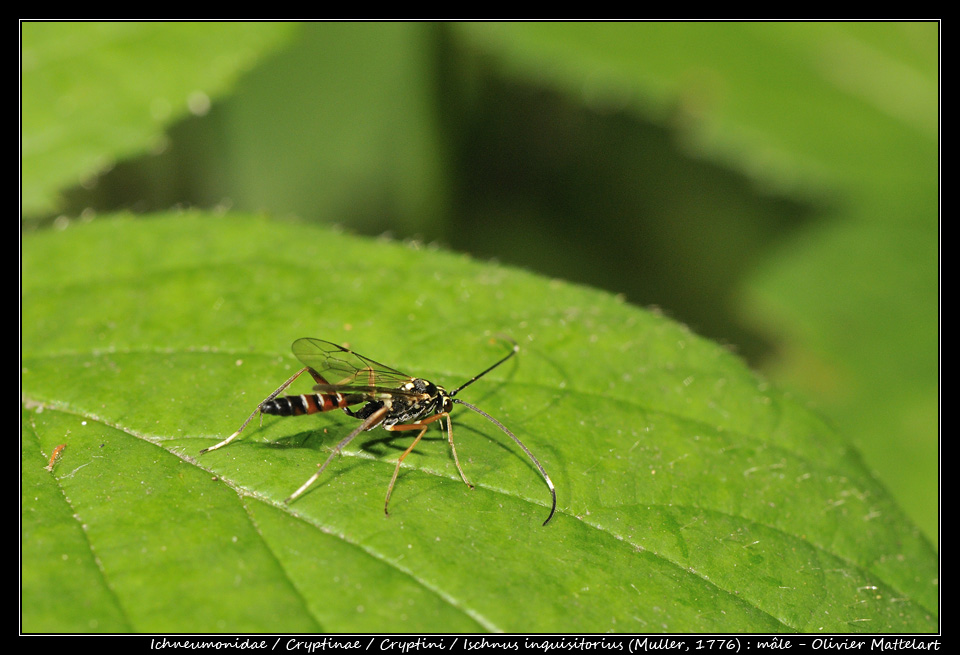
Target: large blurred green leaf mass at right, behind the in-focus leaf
[{"x": 844, "y": 115}]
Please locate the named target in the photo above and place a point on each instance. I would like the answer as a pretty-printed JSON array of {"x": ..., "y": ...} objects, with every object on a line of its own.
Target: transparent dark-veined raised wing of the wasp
[{"x": 340, "y": 367}]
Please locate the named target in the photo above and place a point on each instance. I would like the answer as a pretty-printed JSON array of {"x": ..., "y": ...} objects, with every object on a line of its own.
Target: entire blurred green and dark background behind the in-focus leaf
[{"x": 772, "y": 185}]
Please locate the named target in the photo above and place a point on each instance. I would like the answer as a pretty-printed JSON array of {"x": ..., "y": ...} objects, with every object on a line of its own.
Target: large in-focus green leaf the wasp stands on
[{"x": 692, "y": 496}]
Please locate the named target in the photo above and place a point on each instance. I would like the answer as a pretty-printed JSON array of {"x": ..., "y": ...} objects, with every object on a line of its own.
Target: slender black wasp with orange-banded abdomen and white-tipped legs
[{"x": 387, "y": 398}]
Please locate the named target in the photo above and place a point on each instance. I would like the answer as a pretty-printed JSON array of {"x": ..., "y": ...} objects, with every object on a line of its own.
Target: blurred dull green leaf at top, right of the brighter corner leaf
[{"x": 341, "y": 126}]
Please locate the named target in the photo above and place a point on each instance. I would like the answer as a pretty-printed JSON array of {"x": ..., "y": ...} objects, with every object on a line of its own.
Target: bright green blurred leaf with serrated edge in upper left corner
[{"x": 94, "y": 93}]
